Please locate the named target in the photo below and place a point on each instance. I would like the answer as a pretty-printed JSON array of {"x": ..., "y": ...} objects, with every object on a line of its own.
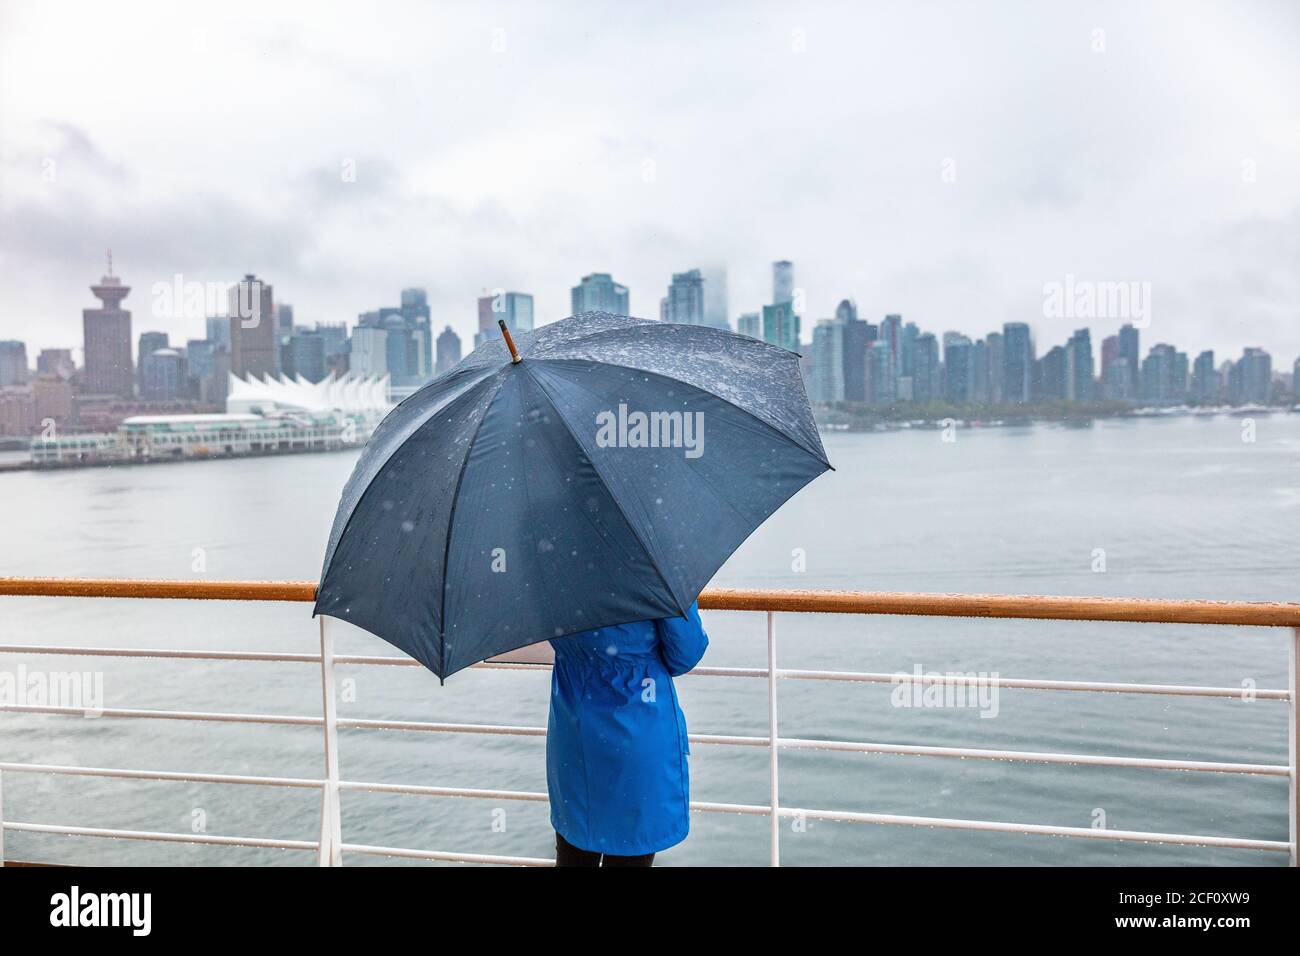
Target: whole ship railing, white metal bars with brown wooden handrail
[{"x": 331, "y": 847}]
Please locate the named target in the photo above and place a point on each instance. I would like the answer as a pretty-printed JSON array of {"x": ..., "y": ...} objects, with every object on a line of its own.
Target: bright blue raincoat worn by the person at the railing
[{"x": 617, "y": 738}]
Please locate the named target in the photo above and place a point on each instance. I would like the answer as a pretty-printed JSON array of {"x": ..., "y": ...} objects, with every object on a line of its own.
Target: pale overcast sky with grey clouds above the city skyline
[{"x": 938, "y": 161}]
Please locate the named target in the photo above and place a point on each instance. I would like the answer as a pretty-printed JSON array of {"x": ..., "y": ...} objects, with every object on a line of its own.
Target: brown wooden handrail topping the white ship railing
[{"x": 1029, "y": 607}]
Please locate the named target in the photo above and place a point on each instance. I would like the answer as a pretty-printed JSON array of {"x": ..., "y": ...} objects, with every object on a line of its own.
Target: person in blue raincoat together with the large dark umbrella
[{"x": 565, "y": 491}]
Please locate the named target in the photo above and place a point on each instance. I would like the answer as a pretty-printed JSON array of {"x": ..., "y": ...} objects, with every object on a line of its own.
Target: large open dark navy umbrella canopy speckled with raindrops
[{"x": 599, "y": 477}]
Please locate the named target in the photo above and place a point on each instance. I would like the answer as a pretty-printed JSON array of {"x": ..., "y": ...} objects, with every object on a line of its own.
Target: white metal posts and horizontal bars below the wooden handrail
[{"x": 331, "y": 846}]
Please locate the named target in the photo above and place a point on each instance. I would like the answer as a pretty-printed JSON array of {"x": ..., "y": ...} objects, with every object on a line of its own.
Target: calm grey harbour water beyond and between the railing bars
[{"x": 1182, "y": 508}]
